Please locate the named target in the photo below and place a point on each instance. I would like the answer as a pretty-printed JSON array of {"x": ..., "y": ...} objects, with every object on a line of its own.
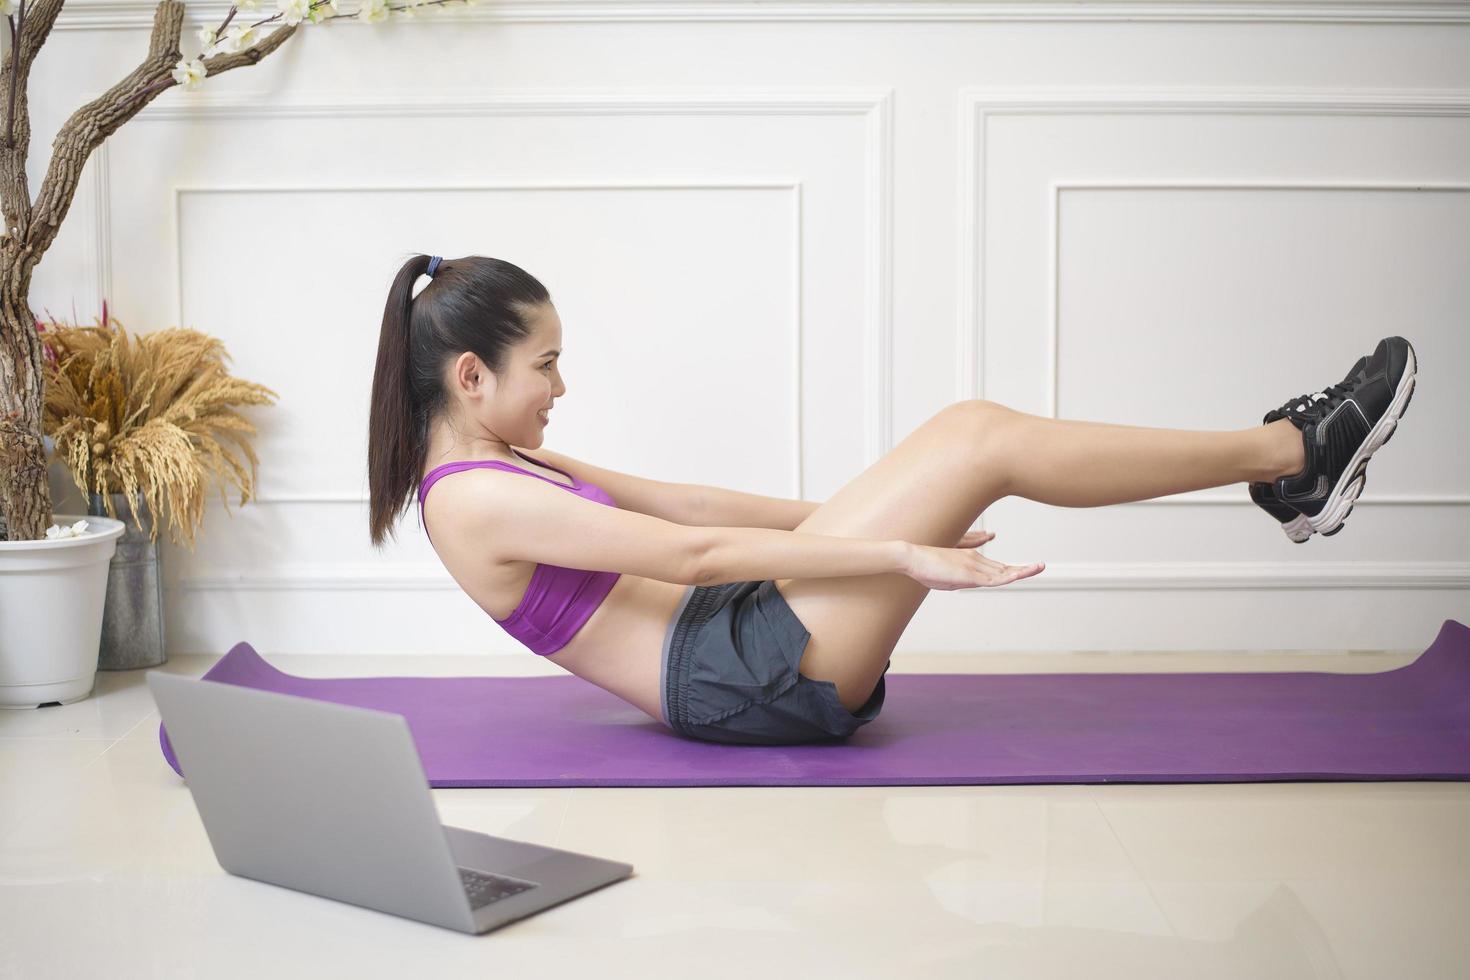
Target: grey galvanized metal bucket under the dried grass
[{"x": 133, "y": 616}]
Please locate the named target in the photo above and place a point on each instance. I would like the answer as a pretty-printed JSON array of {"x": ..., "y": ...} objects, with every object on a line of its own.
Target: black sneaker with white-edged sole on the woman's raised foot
[{"x": 1341, "y": 428}]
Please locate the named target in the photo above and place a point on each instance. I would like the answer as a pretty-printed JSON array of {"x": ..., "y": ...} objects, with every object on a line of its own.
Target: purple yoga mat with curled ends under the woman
[{"x": 1412, "y": 722}]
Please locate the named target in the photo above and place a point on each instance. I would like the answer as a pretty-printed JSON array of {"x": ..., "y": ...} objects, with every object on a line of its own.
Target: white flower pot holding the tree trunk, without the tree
[{"x": 52, "y": 596}]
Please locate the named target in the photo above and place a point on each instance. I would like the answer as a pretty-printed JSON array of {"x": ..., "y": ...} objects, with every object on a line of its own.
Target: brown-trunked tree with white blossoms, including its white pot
[{"x": 32, "y": 587}]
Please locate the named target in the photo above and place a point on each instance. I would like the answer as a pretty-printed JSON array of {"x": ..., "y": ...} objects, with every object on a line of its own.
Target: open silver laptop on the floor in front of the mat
[{"x": 333, "y": 800}]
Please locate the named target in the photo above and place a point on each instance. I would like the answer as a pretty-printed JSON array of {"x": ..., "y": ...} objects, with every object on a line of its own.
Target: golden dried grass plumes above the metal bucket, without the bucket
[{"x": 146, "y": 415}]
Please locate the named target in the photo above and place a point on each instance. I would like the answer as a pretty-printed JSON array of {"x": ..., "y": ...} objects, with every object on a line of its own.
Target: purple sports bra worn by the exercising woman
[{"x": 559, "y": 600}]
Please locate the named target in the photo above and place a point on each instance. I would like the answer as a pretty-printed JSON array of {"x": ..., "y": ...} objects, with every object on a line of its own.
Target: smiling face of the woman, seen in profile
[{"x": 512, "y": 406}]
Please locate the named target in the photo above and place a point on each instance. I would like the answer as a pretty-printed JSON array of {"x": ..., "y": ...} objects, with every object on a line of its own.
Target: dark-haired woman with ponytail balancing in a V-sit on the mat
[{"x": 746, "y": 619}]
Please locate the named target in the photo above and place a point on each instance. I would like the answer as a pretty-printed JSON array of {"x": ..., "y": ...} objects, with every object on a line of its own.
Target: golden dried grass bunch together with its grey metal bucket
[{"x": 142, "y": 425}]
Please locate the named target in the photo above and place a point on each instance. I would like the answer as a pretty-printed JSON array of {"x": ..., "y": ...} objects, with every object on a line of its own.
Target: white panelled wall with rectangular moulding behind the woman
[{"x": 836, "y": 218}]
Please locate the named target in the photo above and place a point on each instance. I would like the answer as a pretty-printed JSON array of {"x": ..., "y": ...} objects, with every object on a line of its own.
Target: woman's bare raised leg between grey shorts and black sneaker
[{"x": 934, "y": 486}]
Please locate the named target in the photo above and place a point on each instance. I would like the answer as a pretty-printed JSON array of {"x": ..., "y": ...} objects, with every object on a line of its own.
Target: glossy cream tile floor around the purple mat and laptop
[{"x": 107, "y": 871}]
